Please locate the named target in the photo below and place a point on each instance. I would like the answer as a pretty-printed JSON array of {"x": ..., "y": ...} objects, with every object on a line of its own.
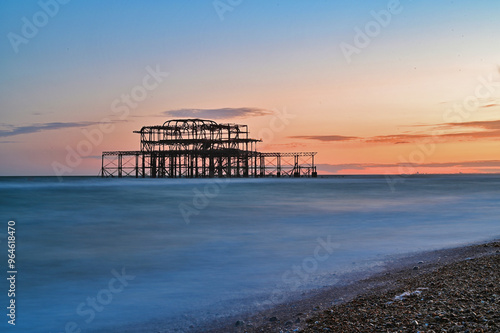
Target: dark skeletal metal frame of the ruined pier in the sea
[{"x": 193, "y": 148}]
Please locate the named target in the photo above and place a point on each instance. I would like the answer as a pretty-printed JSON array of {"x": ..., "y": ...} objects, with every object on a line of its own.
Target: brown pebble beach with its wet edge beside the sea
[{"x": 456, "y": 290}]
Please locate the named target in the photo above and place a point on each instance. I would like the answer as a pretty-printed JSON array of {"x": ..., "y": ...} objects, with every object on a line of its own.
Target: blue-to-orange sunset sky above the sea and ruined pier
[{"x": 374, "y": 87}]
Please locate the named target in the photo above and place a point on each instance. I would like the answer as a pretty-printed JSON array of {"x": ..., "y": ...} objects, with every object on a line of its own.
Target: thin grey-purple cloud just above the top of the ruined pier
[{"x": 218, "y": 113}]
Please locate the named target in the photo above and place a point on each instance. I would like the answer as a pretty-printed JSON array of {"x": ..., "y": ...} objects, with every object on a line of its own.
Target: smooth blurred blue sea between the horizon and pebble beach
[{"x": 140, "y": 255}]
